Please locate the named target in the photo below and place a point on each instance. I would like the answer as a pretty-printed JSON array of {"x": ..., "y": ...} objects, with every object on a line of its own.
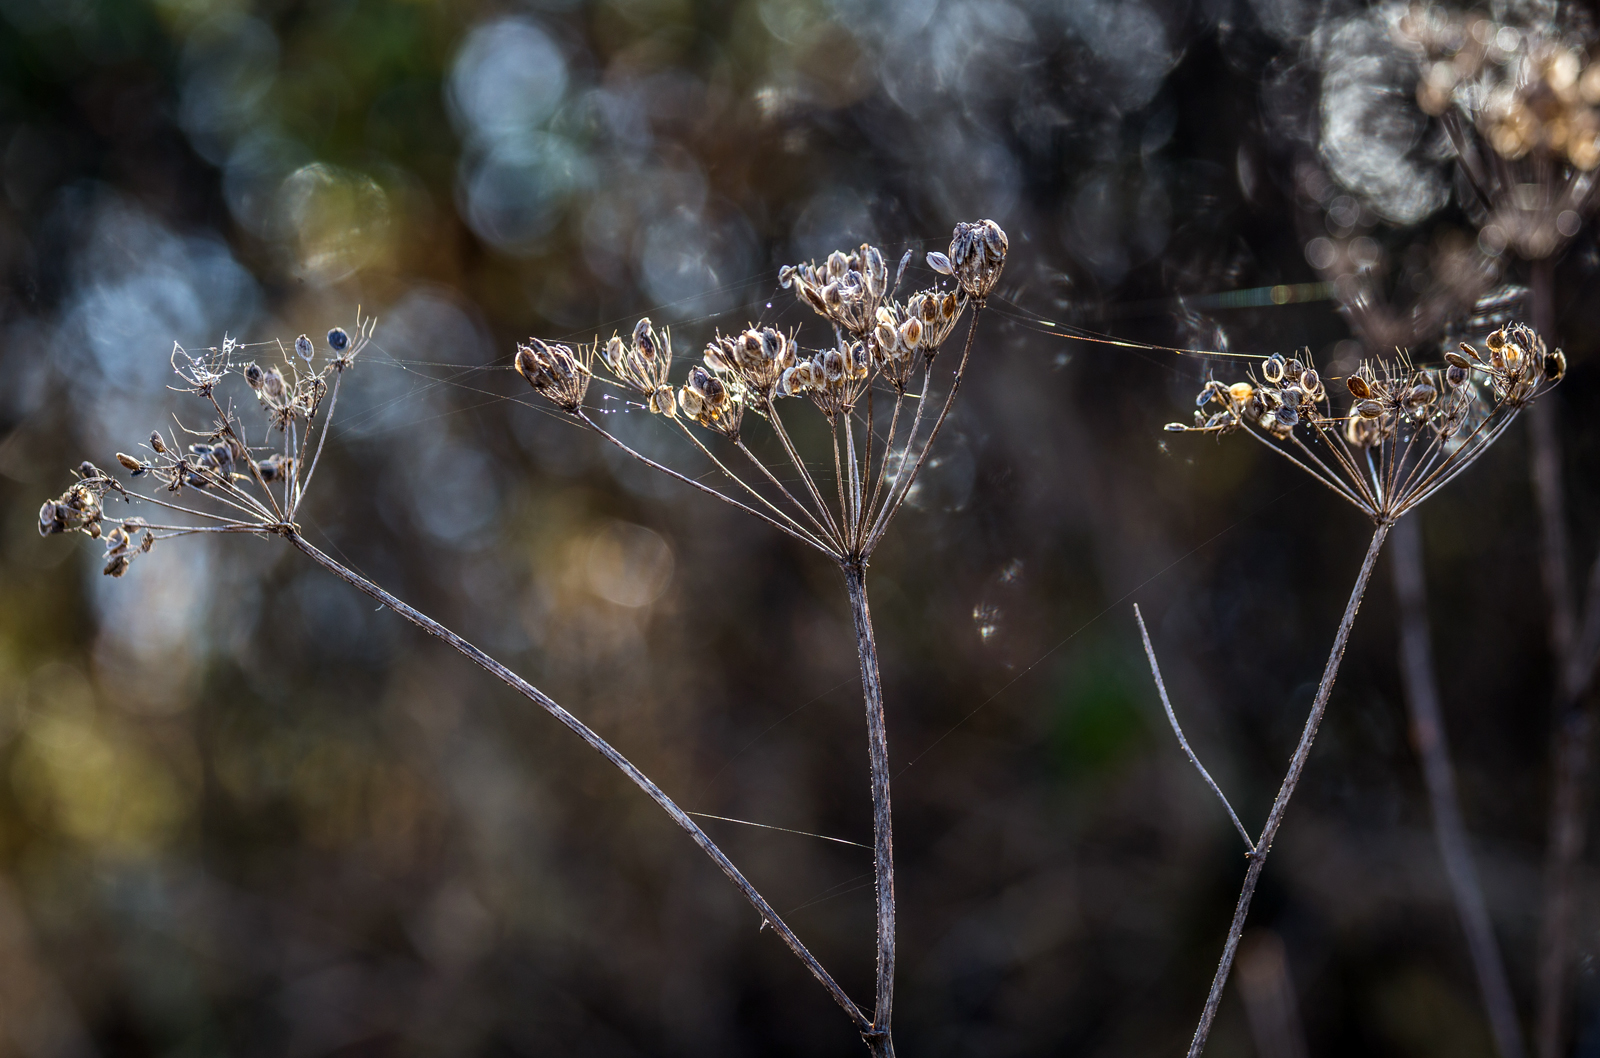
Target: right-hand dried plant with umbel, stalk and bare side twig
[{"x": 1406, "y": 435}]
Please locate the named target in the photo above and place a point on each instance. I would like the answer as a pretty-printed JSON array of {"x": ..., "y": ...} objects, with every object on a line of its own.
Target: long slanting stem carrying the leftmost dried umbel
[{"x": 606, "y": 750}]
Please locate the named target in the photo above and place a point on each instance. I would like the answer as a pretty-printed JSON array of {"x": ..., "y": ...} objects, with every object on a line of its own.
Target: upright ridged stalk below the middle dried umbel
[{"x": 881, "y": 1040}]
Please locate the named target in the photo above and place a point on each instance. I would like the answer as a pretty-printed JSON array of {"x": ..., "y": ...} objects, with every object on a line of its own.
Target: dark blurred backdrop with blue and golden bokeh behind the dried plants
[{"x": 242, "y": 814}]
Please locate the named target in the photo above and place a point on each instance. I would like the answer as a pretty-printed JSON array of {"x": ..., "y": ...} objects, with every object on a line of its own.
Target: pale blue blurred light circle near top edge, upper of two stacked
[{"x": 506, "y": 81}]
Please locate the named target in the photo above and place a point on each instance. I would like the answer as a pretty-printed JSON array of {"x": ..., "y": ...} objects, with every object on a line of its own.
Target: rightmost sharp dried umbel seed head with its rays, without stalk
[{"x": 1407, "y": 430}]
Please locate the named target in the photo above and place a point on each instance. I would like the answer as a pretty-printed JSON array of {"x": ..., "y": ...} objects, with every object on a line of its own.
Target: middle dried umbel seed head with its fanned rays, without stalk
[{"x": 876, "y": 337}]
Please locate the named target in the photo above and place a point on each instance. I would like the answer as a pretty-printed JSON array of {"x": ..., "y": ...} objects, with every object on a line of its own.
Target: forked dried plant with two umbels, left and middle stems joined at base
[{"x": 215, "y": 479}]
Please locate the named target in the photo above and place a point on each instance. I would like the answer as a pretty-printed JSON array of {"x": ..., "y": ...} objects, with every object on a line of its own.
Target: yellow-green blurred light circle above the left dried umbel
[{"x": 337, "y": 220}]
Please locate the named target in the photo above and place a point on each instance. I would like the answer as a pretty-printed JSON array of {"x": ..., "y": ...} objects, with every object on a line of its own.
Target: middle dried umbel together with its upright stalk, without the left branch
[{"x": 881, "y": 361}]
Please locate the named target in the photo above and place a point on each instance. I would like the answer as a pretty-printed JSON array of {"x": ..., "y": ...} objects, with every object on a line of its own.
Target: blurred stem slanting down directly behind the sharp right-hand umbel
[{"x": 1428, "y": 732}]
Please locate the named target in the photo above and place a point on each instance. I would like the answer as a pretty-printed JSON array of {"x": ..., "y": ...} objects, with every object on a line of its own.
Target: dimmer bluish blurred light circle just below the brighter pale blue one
[{"x": 518, "y": 191}]
